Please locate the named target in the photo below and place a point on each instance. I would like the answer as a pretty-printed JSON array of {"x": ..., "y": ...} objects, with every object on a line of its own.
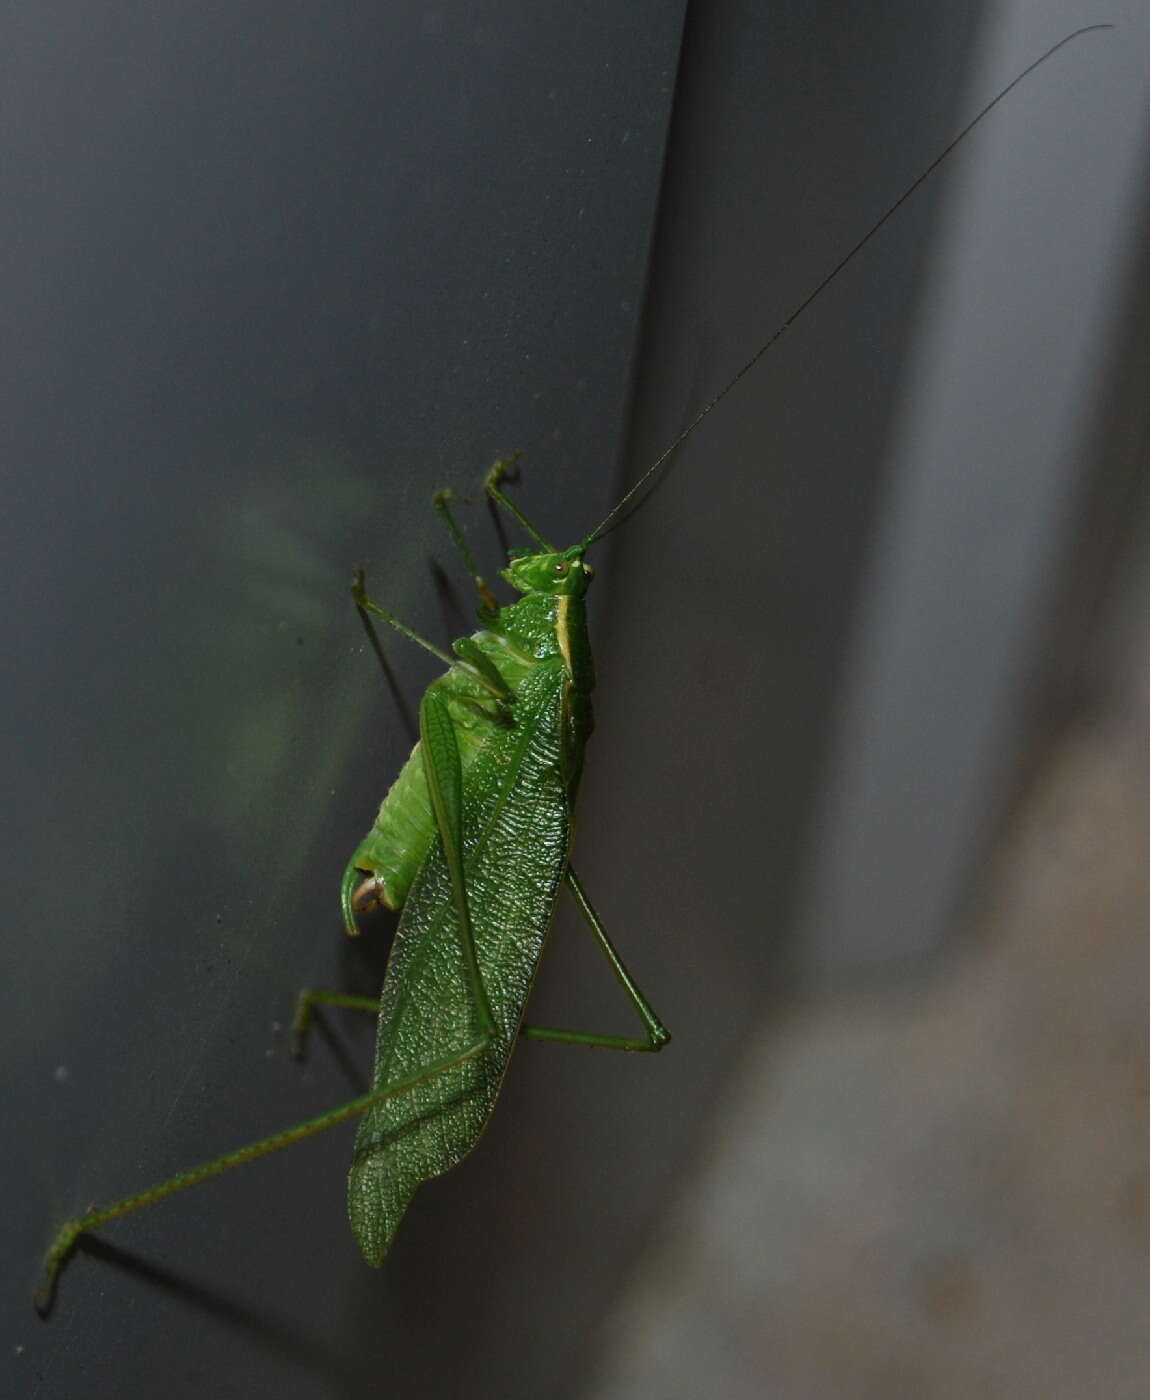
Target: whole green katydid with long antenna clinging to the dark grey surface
[{"x": 473, "y": 846}]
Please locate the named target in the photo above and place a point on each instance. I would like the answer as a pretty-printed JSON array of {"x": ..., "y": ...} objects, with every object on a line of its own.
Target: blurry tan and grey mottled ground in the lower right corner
[{"x": 941, "y": 1189}]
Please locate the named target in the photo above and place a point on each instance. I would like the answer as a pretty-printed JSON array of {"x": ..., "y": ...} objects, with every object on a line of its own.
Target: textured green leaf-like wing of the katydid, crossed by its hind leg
[{"x": 516, "y": 834}]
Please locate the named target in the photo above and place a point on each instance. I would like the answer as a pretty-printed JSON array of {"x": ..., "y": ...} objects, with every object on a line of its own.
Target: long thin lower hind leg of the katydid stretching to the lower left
[{"x": 68, "y": 1235}]
